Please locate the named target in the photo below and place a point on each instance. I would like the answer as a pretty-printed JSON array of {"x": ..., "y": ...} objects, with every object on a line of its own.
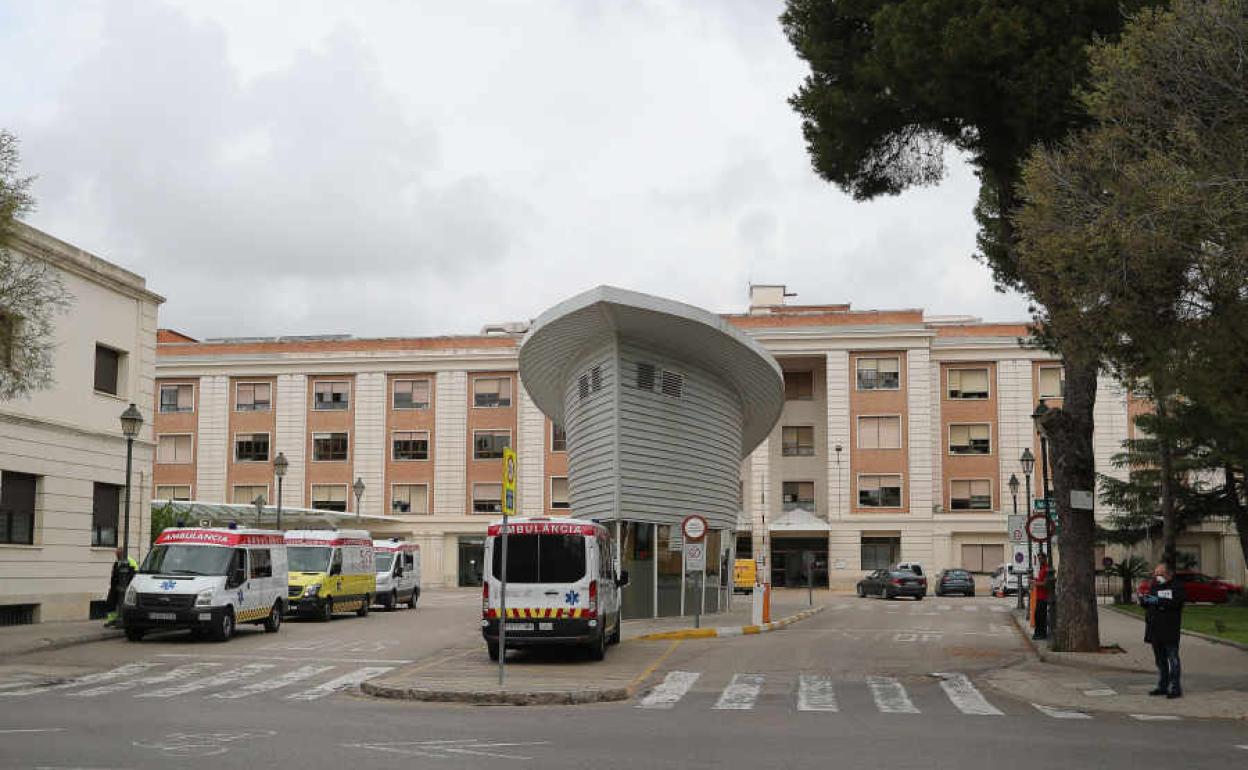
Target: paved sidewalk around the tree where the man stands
[{"x": 1215, "y": 676}]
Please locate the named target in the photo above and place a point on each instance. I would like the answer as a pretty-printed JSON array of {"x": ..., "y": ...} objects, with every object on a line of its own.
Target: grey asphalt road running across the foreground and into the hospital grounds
[{"x": 851, "y": 688}]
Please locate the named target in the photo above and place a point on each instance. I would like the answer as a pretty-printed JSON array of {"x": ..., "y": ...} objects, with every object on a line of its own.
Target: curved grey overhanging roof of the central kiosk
[{"x": 561, "y": 335}]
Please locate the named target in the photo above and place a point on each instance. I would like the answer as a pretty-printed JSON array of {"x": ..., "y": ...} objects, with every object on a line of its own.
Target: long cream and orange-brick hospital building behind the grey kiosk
[{"x": 897, "y": 441}]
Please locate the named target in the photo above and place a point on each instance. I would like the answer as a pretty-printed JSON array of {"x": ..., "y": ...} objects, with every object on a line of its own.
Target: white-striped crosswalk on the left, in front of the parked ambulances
[{"x": 163, "y": 682}]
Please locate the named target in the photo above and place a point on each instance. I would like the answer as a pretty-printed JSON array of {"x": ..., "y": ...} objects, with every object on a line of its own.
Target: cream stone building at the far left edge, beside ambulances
[{"x": 63, "y": 456}]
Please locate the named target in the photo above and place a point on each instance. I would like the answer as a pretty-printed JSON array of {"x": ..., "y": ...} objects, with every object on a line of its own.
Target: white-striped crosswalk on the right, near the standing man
[{"x": 945, "y": 692}]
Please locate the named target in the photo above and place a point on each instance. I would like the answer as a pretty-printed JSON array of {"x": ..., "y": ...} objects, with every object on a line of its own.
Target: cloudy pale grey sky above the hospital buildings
[{"x": 420, "y": 168}]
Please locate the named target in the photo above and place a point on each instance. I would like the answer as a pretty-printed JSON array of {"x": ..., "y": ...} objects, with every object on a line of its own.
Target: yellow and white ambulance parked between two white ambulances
[{"x": 331, "y": 571}]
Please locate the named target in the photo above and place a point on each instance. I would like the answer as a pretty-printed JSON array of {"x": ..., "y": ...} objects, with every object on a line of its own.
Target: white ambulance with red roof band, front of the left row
[{"x": 209, "y": 581}]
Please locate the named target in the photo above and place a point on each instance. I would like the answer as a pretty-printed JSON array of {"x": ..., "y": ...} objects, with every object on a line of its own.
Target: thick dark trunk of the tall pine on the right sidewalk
[{"x": 1070, "y": 440}]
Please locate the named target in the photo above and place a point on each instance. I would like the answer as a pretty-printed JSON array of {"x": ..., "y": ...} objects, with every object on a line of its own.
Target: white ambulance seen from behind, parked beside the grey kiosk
[{"x": 563, "y": 586}]
